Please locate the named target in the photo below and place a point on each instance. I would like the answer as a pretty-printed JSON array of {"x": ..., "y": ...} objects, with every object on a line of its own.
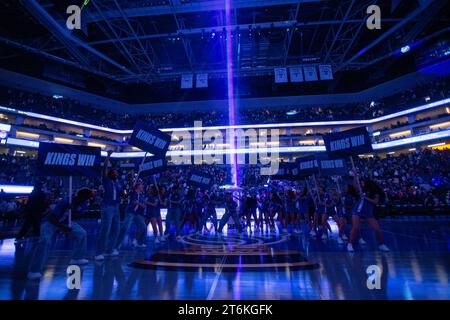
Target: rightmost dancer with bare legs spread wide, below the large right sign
[{"x": 370, "y": 196}]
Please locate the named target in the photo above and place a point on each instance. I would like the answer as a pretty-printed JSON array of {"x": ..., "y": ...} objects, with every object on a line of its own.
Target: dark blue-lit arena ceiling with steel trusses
[{"x": 151, "y": 41}]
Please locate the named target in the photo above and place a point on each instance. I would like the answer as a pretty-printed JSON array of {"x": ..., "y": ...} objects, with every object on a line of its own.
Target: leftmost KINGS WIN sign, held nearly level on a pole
[{"x": 68, "y": 160}]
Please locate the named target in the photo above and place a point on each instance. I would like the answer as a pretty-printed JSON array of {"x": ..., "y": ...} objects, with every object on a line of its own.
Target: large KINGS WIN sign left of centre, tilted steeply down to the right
[{"x": 150, "y": 139}]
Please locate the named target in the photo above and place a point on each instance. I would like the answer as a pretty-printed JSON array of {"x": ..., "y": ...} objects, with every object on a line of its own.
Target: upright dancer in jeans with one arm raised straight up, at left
[{"x": 110, "y": 214}]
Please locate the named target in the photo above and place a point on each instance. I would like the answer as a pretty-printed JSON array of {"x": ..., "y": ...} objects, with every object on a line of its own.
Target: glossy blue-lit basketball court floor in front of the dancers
[{"x": 417, "y": 268}]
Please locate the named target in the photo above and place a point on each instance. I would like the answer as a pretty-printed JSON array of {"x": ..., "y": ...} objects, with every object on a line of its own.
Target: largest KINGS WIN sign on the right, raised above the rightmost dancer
[{"x": 351, "y": 142}]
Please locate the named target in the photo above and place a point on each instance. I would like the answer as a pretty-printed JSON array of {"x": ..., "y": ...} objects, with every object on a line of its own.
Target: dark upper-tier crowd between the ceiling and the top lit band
[{"x": 72, "y": 109}]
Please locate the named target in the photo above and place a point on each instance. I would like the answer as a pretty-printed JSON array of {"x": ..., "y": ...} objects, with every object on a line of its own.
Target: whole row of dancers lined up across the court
[{"x": 294, "y": 211}]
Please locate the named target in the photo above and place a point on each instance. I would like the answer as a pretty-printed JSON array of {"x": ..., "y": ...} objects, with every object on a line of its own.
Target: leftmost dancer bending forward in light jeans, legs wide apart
[{"x": 58, "y": 220}]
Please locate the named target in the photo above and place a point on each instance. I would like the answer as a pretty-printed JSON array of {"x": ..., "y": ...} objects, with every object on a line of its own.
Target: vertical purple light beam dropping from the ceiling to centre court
[{"x": 231, "y": 102}]
